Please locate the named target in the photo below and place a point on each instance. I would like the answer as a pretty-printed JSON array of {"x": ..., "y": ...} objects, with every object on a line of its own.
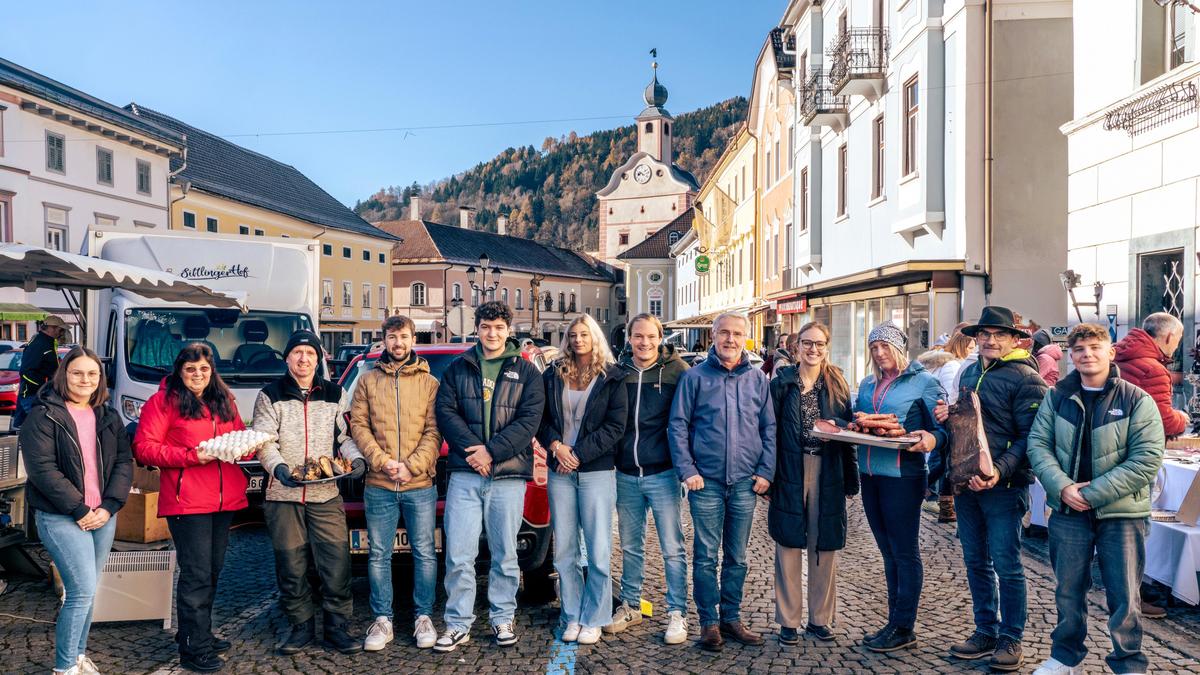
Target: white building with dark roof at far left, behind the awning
[{"x": 70, "y": 163}]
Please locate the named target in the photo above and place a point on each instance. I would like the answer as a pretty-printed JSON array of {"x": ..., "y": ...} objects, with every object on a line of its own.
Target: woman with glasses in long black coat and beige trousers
[{"x": 813, "y": 480}]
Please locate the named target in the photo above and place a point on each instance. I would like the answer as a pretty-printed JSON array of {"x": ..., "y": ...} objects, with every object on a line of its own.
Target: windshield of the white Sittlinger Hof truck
[{"x": 247, "y": 347}]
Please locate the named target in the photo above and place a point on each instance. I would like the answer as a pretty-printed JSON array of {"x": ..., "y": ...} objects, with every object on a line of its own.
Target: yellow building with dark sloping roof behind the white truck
[{"x": 223, "y": 188}]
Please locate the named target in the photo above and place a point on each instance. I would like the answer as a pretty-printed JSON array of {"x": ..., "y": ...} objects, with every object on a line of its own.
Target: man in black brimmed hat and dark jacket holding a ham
[{"x": 991, "y": 510}]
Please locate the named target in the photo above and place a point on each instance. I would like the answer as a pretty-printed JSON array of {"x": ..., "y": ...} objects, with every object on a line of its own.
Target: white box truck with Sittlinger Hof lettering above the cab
[{"x": 278, "y": 280}]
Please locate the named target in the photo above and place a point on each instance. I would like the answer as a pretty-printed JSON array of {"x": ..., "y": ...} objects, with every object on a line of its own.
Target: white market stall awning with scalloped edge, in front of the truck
[{"x": 34, "y": 267}]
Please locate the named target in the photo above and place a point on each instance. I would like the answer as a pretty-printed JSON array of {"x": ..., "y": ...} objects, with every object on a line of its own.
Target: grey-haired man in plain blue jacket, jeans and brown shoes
[{"x": 723, "y": 445}]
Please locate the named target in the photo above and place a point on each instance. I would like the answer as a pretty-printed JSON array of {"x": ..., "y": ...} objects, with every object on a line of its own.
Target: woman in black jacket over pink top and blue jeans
[{"x": 80, "y": 465}]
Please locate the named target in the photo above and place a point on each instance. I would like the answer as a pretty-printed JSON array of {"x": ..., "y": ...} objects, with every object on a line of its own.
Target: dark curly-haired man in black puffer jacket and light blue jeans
[{"x": 489, "y": 408}]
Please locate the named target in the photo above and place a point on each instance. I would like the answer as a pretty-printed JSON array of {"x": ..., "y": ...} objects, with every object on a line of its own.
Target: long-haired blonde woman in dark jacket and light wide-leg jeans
[{"x": 583, "y": 428}]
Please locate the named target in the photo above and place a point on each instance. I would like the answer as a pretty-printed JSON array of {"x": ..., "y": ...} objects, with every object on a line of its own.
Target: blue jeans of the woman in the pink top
[{"x": 80, "y": 557}]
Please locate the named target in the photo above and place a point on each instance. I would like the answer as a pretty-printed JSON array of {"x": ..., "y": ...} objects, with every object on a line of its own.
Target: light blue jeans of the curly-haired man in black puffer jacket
[{"x": 477, "y": 505}]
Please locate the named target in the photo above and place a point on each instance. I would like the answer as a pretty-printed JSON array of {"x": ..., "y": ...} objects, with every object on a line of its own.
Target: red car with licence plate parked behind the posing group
[{"x": 533, "y": 540}]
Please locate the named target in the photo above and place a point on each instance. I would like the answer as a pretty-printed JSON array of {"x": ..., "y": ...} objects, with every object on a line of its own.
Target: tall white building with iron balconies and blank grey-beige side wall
[{"x": 899, "y": 213}]
